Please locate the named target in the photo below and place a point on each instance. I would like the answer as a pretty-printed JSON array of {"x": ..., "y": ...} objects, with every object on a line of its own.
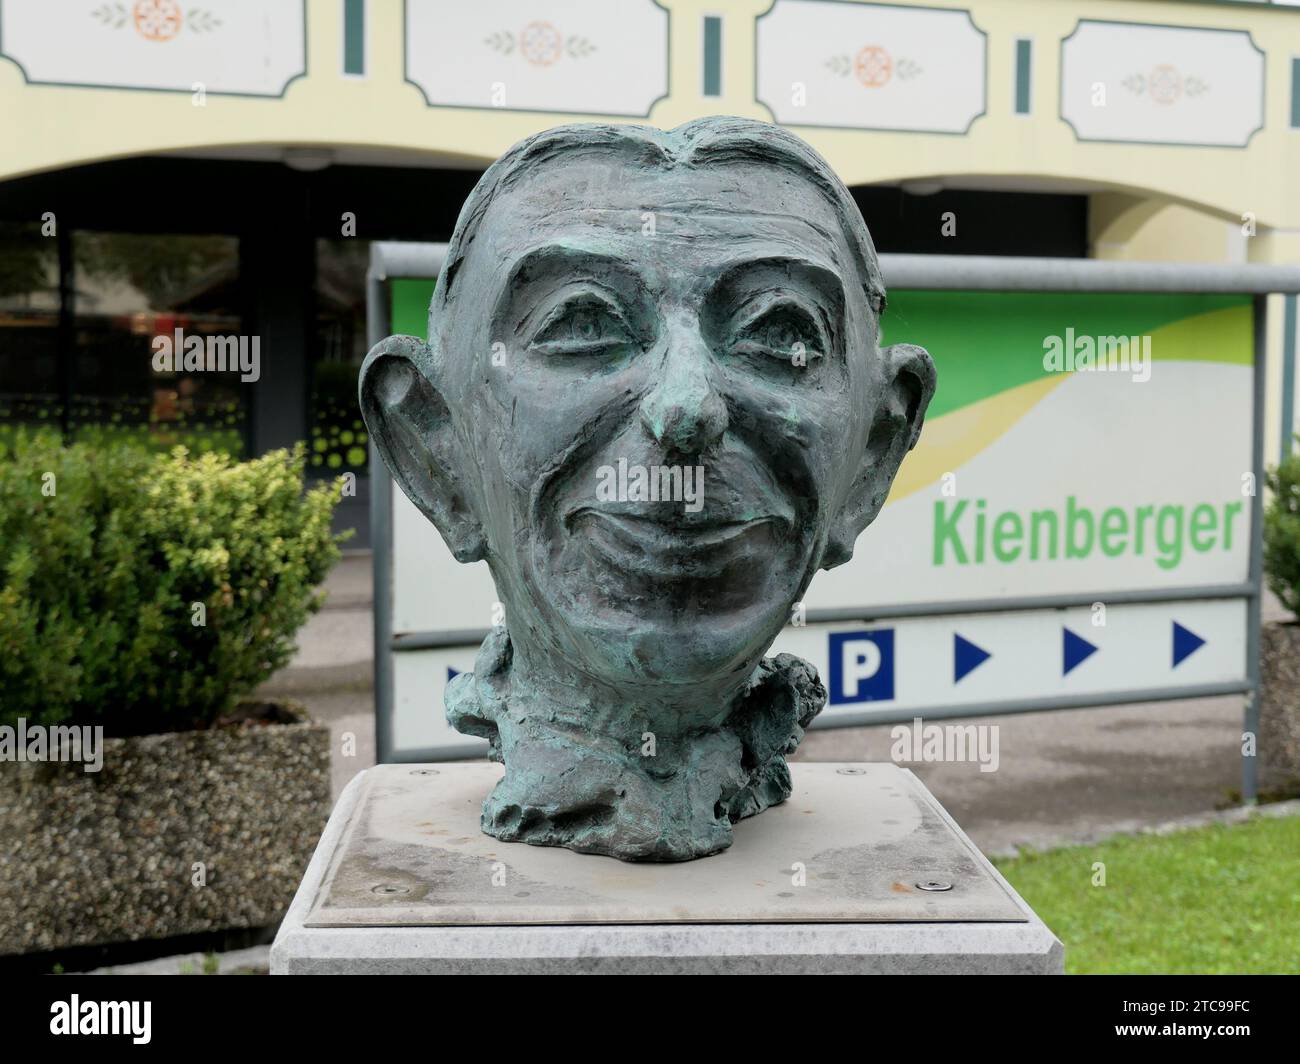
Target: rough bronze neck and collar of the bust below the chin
[{"x": 673, "y": 801}]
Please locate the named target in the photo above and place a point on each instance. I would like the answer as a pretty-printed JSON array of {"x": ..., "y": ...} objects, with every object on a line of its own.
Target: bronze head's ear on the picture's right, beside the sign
[{"x": 909, "y": 384}]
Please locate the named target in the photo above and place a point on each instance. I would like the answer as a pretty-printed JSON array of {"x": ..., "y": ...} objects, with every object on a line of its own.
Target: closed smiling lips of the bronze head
[{"x": 677, "y": 543}]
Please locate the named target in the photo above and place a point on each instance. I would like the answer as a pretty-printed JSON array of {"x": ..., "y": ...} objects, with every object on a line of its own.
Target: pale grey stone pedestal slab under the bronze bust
[{"x": 860, "y": 872}]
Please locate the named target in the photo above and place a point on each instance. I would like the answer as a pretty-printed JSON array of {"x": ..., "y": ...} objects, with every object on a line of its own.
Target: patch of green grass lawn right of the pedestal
[{"x": 1223, "y": 899}]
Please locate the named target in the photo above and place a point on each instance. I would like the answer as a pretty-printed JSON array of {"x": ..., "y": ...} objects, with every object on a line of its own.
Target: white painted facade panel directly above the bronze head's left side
[{"x": 579, "y": 57}]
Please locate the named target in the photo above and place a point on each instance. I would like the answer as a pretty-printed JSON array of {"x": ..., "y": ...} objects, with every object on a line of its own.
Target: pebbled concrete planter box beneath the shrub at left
[{"x": 89, "y": 859}]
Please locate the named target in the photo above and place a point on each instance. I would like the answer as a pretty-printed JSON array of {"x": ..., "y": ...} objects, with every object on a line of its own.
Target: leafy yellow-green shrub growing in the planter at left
[{"x": 106, "y": 557}]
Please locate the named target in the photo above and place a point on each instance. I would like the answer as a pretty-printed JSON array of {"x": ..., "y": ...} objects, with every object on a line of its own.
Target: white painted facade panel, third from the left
[{"x": 829, "y": 63}]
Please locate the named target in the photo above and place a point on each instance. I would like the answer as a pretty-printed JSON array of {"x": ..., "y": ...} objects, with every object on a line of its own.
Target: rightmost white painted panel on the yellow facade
[{"x": 1164, "y": 85}]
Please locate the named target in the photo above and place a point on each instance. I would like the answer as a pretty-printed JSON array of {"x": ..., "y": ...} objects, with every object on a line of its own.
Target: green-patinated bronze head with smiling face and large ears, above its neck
[{"x": 655, "y": 401}]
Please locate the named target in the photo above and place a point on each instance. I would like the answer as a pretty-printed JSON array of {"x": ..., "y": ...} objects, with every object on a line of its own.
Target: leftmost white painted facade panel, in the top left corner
[{"x": 231, "y": 47}]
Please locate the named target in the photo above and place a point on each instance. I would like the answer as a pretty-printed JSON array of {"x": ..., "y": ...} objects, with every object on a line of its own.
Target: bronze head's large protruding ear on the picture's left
[{"x": 411, "y": 427}]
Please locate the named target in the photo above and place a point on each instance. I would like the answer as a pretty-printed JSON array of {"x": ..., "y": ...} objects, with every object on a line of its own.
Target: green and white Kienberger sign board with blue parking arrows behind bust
[{"x": 1072, "y": 490}]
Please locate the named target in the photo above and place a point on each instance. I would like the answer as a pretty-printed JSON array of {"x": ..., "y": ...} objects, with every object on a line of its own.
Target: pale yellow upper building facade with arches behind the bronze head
[{"x": 51, "y": 122}]
